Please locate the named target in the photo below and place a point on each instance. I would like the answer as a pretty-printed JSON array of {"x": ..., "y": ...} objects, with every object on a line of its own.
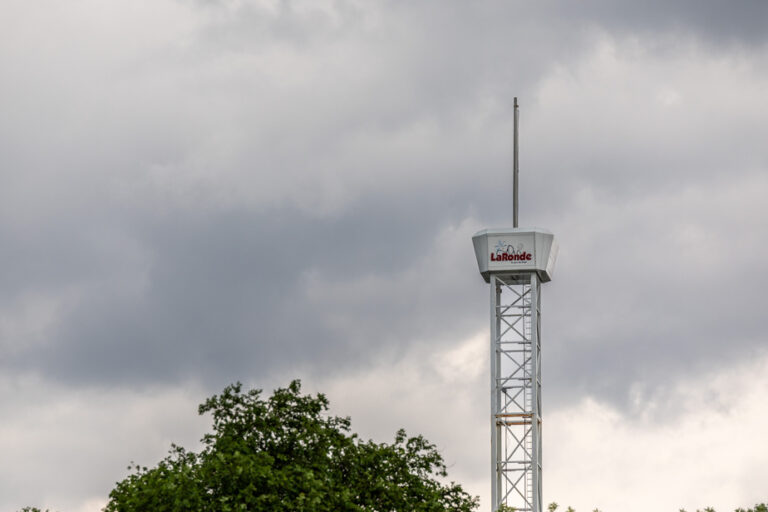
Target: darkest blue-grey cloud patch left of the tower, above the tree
[{"x": 225, "y": 296}]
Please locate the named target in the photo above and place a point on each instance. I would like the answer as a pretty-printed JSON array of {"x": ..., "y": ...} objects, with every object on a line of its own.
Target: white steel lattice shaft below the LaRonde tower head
[{"x": 516, "y": 392}]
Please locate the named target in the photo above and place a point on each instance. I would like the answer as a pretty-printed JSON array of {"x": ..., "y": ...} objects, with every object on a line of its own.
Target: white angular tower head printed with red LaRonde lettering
[{"x": 515, "y": 250}]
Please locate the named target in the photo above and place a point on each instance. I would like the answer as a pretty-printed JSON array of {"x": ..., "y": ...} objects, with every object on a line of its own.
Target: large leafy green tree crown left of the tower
[{"x": 285, "y": 453}]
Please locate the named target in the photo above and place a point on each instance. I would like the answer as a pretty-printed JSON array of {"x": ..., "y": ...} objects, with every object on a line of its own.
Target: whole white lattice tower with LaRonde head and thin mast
[{"x": 515, "y": 261}]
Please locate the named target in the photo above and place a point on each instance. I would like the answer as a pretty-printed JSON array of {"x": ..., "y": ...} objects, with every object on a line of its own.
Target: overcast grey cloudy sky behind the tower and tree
[{"x": 194, "y": 192}]
